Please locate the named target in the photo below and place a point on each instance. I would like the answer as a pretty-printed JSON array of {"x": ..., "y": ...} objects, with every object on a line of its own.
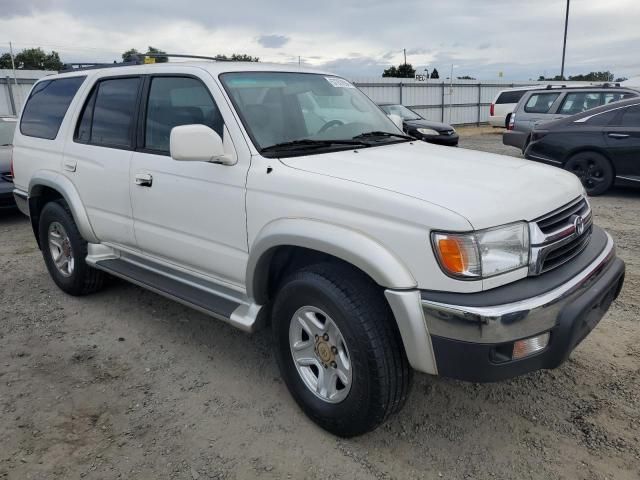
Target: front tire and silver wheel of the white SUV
[{"x": 366, "y": 336}]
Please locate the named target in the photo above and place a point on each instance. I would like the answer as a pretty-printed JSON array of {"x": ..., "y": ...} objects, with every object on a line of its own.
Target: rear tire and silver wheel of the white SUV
[{"x": 74, "y": 277}]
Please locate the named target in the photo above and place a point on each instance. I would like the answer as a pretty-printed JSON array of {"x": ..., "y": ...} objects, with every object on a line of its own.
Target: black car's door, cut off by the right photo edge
[{"x": 623, "y": 140}]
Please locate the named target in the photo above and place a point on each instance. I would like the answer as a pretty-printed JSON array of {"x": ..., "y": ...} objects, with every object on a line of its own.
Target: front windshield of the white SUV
[{"x": 308, "y": 110}]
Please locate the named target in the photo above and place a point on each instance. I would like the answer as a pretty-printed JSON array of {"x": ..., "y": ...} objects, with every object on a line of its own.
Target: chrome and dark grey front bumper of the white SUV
[{"x": 469, "y": 338}]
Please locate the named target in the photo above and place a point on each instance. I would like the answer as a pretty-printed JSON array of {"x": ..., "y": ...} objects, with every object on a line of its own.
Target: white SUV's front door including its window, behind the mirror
[{"x": 191, "y": 214}]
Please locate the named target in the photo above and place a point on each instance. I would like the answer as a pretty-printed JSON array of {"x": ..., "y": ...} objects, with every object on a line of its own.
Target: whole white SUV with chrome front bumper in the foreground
[{"x": 273, "y": 195}]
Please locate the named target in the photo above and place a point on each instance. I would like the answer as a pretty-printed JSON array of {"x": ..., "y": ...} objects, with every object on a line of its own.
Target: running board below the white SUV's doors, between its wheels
[{"x": 240, "y": 314}]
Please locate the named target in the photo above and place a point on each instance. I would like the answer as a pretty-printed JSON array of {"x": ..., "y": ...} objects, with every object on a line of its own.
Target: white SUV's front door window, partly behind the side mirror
[{"x": 175, "y": 101}]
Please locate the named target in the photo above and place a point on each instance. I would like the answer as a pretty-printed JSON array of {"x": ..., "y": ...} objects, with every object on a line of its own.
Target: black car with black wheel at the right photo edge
[{"x": 601, "y": 146}]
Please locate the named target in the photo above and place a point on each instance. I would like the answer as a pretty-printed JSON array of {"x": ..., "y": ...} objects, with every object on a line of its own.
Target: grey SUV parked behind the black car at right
[{"x": 556, "y": 102}]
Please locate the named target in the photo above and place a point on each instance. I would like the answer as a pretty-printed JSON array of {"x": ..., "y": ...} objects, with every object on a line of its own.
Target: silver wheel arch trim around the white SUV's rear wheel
[{"x": 46, "y": 186}]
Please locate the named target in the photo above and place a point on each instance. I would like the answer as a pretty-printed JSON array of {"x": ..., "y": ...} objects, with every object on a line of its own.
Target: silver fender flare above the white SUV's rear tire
[{"x": 64, "y": 186}]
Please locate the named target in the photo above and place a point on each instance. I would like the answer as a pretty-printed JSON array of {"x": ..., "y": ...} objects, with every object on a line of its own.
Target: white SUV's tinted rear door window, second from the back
[{"x": 108, "y": 115}]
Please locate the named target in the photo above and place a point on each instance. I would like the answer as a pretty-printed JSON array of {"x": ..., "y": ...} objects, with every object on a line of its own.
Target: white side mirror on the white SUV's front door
[{"x": 197, "y": 143}]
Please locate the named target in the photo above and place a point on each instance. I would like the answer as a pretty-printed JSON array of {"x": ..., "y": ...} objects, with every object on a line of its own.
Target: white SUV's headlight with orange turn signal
[{"x": 483, "y": 253}]
